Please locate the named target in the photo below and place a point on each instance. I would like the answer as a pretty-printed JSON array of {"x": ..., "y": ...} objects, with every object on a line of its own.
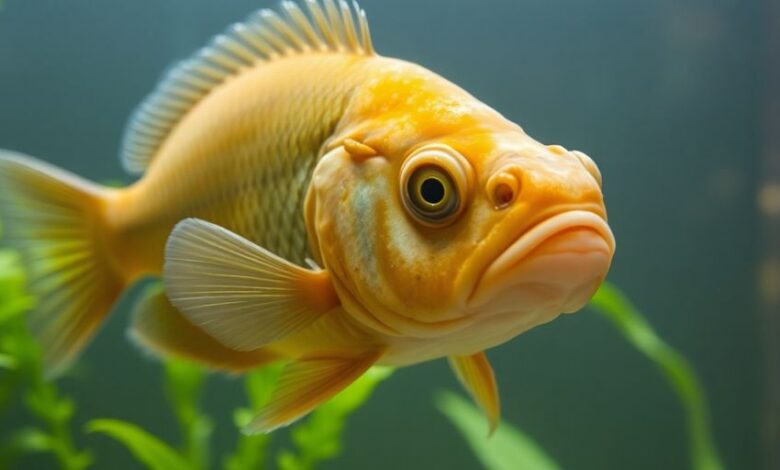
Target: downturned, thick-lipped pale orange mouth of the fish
[{"x": 553, "y": 267}]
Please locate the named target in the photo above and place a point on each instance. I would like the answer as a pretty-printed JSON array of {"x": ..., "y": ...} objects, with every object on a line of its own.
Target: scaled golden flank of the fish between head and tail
[{"x": 243, "y": 157}]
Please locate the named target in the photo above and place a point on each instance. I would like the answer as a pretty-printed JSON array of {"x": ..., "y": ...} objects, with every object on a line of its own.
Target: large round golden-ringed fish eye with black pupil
[{"x": 434, "y": 181}]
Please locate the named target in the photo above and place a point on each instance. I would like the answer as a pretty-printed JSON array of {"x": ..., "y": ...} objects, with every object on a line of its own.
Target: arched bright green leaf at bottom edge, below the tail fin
[{"x": 148, "y": 449}]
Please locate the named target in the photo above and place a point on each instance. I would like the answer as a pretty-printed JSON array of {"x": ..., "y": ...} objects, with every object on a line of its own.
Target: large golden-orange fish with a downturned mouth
[{"x": 307, "y": 200}]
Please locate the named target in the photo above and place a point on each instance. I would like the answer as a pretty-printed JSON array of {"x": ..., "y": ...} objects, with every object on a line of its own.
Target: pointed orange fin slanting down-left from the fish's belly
[{"x": 307, "y": 383}]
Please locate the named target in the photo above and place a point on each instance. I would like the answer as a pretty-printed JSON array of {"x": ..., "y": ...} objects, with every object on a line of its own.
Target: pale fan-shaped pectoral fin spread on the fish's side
[{"x": 240, "y": 293}]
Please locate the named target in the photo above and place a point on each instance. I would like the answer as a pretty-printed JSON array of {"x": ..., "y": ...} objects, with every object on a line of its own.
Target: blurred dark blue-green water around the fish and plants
[{"x": 668, "y": 97}]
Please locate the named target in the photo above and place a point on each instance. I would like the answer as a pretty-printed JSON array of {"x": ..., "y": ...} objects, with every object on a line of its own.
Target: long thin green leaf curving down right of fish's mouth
[{"x": 615, "y": 306}]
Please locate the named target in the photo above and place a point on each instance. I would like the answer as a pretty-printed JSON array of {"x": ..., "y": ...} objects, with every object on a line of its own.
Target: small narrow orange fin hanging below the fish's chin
[{"x": 476, "y": 375}]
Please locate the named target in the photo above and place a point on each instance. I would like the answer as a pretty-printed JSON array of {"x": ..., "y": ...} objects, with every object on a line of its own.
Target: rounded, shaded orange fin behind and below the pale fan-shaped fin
[{"x": 158, "y": 326}]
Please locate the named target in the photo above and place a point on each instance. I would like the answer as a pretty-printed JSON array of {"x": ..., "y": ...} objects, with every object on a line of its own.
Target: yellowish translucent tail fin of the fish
[{"x": 55, "y": 220}]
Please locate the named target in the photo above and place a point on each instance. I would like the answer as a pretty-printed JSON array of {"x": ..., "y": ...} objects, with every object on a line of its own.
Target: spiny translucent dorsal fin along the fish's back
[{"x": 265, "y": 36}]
